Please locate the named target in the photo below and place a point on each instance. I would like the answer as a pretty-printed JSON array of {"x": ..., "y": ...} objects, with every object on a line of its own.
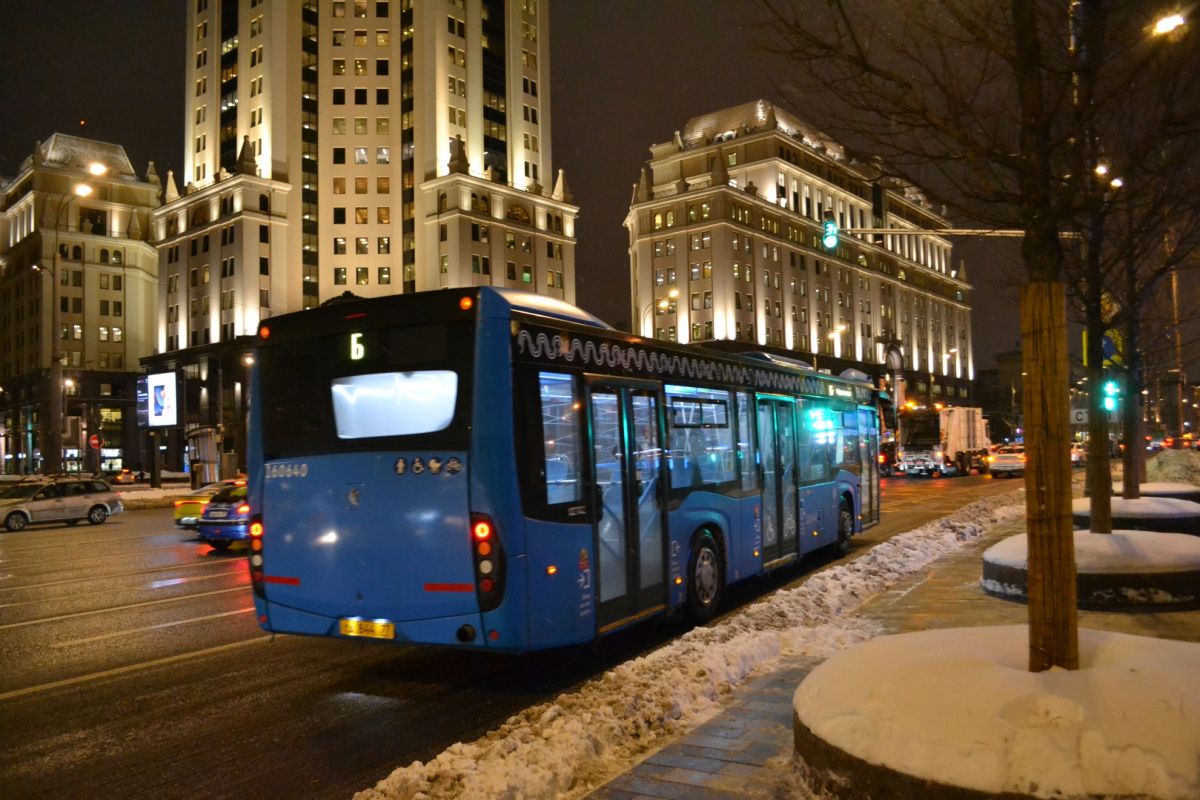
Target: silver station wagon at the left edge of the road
[{"x": 70, "y": 501}]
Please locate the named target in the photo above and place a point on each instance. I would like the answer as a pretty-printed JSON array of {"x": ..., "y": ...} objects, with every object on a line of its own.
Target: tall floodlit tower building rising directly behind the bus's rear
[{"x": 321, "y": 151}]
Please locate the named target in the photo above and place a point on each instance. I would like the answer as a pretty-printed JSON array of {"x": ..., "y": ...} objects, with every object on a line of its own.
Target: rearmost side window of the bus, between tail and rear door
[{"x": 561, "y": 437}]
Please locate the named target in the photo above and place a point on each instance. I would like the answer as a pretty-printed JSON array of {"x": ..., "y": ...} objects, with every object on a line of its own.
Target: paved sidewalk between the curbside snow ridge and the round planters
[{"x": 727, "y": 757}]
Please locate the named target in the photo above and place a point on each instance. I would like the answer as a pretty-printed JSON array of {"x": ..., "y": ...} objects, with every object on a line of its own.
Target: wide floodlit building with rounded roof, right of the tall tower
[{"x": 727, "y": 244}]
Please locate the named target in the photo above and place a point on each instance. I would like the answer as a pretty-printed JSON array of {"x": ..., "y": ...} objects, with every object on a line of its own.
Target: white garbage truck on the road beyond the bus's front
[{"x": 943, "y": 441}]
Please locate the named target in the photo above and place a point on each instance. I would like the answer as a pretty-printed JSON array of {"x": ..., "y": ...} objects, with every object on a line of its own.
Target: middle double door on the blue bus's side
[{"x": 781, "y": 502}]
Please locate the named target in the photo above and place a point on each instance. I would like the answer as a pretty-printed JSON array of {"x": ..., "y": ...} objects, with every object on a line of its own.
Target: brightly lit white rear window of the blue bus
[{"x": 394, "y": 404}]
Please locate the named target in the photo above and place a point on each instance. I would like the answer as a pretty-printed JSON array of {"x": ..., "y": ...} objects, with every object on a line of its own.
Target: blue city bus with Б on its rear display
[{"x": 497, "y": 470}]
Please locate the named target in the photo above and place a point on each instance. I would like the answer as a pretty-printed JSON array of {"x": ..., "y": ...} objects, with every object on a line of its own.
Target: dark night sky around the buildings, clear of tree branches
[{"x": 625, "y": 75}]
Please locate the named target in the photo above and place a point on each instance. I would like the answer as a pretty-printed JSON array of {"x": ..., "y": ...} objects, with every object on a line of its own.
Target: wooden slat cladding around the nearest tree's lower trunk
[{"x": 1054, "y": 636}]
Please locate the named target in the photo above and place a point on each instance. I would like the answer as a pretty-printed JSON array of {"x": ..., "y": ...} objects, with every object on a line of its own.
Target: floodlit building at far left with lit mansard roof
[{"x": 79, "y": 284}]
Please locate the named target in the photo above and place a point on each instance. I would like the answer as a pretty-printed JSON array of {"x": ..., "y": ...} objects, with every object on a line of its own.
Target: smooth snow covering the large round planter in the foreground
[{"x": 1126, "y": 724}]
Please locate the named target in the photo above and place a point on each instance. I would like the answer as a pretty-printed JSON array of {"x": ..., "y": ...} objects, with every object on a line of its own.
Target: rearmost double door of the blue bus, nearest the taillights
[{"x": 628, "y": 480}]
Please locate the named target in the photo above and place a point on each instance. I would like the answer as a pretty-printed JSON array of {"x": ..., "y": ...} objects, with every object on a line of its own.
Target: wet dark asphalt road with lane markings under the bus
[{"x": 131, "y": 666}]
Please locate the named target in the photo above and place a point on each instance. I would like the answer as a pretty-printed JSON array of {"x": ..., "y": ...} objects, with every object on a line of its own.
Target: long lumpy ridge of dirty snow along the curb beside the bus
[{"x": 585, "y": 738}]
